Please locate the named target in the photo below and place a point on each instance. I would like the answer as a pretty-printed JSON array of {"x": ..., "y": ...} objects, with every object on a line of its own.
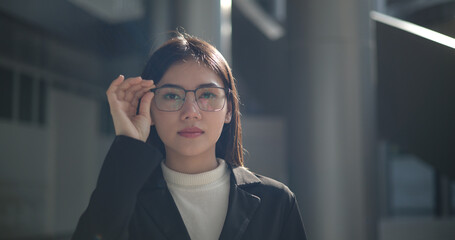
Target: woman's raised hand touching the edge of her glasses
[{"x": 123, "y": 96}]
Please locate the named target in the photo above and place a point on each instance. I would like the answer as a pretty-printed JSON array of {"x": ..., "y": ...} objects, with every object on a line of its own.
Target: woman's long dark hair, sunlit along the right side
[{"x": 184, "y": 47}]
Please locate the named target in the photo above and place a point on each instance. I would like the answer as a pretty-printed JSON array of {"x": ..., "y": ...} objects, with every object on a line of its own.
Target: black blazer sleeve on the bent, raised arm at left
[{"x": 126, "y": 168}]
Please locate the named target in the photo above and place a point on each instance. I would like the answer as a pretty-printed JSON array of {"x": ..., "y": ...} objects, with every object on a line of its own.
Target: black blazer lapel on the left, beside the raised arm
[{"x": 158, "y": 202}]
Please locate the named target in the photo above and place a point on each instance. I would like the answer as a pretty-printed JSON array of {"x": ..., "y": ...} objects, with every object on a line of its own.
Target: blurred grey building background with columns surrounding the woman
[{"x": 350, "y": 103}]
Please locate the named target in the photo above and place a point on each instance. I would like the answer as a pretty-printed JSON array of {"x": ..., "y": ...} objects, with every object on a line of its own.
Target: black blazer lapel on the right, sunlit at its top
[{"x": 242, "y": 205}]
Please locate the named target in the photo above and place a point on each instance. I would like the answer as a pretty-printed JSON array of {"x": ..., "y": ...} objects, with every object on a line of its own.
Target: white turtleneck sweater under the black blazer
[{"x": 202, "y": 199}]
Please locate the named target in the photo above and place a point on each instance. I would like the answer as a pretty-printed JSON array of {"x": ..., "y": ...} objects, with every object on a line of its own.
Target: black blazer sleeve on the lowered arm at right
[{"x": 293, "y": 226}]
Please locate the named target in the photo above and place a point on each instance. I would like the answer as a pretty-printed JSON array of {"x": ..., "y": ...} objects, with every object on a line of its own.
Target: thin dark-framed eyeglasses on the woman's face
[{"x": 171, "y": 99}]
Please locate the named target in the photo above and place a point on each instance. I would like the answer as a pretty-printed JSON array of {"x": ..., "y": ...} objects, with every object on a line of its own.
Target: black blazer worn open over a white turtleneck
[{"x": 132, "y": 201}]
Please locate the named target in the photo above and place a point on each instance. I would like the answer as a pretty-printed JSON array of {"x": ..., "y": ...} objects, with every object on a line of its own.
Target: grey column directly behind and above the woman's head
[{"x": 206, "y": 19}]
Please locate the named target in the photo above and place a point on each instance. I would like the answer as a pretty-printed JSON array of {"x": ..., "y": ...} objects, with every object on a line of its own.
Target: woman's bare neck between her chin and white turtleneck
[{"x": 191, "y": 164}]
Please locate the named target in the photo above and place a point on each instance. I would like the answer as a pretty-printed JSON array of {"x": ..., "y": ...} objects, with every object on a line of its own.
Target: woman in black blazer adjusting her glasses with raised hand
[{"x": 175, "y": 169}]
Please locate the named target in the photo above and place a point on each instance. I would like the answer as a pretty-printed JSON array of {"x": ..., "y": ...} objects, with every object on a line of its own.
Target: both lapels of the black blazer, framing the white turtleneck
[{"x": 157, "y": 201}]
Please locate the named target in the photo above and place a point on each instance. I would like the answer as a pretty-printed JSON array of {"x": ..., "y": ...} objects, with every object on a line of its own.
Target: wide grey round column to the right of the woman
[{"x": 331, "y": 121}]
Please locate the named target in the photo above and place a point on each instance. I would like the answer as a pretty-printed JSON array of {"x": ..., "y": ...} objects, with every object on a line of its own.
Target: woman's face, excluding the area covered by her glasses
[{"x": 190, "y": 132}]
